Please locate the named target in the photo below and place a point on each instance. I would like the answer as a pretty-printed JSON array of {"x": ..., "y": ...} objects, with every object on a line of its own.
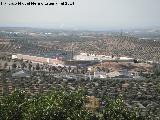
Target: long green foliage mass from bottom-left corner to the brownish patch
[{"x": 56, "y": 105}]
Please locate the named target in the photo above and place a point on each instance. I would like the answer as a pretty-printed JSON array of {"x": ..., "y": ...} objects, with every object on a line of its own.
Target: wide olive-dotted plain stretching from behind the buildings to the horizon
[{"x": 25, "y": 41}]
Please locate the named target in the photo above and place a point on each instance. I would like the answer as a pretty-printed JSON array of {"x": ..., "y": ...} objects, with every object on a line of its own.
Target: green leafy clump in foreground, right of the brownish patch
[{"x": 118, "y": 110}]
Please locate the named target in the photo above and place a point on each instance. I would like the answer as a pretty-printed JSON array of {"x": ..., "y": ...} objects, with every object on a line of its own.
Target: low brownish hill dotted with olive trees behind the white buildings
[{"x": 129, "y": 46}]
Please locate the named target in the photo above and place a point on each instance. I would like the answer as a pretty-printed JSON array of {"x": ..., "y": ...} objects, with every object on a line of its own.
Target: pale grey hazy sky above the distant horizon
[{"x": 85, "y": 14}]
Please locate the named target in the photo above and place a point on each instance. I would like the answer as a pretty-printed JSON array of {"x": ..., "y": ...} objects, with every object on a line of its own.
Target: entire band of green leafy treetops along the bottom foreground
[{"x": 62, "y": 105}]
